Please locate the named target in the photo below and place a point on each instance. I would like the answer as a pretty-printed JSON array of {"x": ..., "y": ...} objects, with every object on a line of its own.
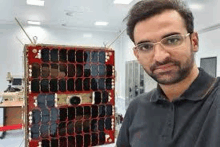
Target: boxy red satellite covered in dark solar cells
[{"x": 70, "y": 96}]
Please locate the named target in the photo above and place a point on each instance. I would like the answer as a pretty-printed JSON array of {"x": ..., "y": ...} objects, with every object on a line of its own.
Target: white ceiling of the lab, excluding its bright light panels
[{"x": 82, "y": 14}]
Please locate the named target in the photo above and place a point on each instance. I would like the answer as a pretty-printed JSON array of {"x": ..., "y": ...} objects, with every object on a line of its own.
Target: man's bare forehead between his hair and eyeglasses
[{"x": 160, "y": 25}]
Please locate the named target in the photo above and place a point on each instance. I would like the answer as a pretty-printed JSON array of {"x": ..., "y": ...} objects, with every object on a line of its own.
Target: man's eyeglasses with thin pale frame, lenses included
[{"x": 169, "y": 42}]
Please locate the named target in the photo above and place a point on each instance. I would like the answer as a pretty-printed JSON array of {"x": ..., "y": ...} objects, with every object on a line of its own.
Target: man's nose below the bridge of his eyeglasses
[{"x": 160, "y": 53}]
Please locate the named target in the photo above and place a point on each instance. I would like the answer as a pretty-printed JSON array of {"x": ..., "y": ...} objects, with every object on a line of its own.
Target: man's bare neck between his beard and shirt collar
[{"x": 176, "y": 90}]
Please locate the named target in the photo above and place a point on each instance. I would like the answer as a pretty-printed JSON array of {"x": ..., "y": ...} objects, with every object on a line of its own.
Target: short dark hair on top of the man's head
[{"x": 147, "y": 8}]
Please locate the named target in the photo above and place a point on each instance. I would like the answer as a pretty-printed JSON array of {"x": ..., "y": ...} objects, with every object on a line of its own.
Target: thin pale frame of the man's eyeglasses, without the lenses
[{"x": 159, "y": 42}]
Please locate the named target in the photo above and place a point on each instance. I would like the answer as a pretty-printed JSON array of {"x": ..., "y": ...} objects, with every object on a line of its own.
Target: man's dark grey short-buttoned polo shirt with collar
[{"x": 192, "y": 120}]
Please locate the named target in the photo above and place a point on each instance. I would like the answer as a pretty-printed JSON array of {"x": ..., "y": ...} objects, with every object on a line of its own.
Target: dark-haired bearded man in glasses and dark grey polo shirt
[{"x": 184, "y": 109}]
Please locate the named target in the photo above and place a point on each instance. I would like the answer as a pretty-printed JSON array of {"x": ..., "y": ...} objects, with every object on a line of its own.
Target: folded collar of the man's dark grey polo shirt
[{"x": 200, "y": 87}]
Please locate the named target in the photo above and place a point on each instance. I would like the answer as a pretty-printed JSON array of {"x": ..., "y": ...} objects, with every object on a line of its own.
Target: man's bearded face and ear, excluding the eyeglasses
[{"x": 166, "y": 66}]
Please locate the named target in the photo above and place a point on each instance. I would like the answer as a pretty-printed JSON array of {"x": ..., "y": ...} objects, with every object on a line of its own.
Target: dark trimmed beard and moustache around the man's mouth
[{"x": 172, "y": 77}]
